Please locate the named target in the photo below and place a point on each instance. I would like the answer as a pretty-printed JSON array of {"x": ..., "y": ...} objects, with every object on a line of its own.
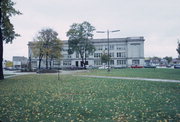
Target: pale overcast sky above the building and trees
[{"x": 158, "y": 21}]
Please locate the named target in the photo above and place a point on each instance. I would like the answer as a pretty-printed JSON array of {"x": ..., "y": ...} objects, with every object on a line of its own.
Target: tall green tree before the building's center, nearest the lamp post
[{"x": 80, "y": 36}]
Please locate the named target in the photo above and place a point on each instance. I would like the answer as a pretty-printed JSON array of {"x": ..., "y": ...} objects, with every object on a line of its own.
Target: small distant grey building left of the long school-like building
[{"x": 19, "y": 62}]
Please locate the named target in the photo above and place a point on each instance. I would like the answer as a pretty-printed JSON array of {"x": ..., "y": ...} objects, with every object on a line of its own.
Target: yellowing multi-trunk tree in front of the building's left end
[{"x": 46, "y": 44}]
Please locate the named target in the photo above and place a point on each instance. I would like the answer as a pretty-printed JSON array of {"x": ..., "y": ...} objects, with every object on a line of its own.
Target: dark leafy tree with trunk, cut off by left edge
[{"x": 7, "y": 33}]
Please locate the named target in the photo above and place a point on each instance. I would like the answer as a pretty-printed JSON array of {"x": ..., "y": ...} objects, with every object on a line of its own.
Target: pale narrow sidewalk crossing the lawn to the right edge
[{"x": 130, "y": 78}]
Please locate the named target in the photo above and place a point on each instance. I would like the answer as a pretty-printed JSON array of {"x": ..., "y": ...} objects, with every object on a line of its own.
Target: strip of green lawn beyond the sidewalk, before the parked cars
[{"x": 173, "y": 74}]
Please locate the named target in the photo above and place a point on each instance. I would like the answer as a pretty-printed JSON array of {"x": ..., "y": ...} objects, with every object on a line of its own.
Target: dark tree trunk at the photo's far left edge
[{"x": 1, "y": 49}]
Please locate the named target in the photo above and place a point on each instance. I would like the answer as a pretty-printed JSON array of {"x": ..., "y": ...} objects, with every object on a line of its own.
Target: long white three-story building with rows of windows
[{"x": 124, "y": 52}]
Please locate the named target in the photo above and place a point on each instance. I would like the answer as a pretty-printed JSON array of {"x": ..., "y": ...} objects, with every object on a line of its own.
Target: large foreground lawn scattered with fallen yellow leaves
[{"x": 44, "y": 98}]
